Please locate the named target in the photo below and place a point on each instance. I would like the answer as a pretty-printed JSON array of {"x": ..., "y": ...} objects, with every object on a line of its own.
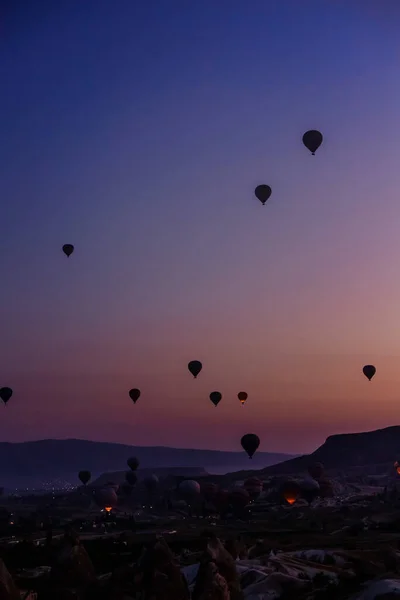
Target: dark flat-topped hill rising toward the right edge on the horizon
[{"x": 347, "y": 450}]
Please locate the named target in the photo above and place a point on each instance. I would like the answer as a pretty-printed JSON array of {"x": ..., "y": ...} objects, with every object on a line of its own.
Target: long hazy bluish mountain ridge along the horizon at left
[{"x": 64, "y": 458}]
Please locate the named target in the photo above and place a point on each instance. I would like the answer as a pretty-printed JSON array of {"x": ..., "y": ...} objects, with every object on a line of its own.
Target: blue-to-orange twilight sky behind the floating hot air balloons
[{"x": 137, "y": 131}]
